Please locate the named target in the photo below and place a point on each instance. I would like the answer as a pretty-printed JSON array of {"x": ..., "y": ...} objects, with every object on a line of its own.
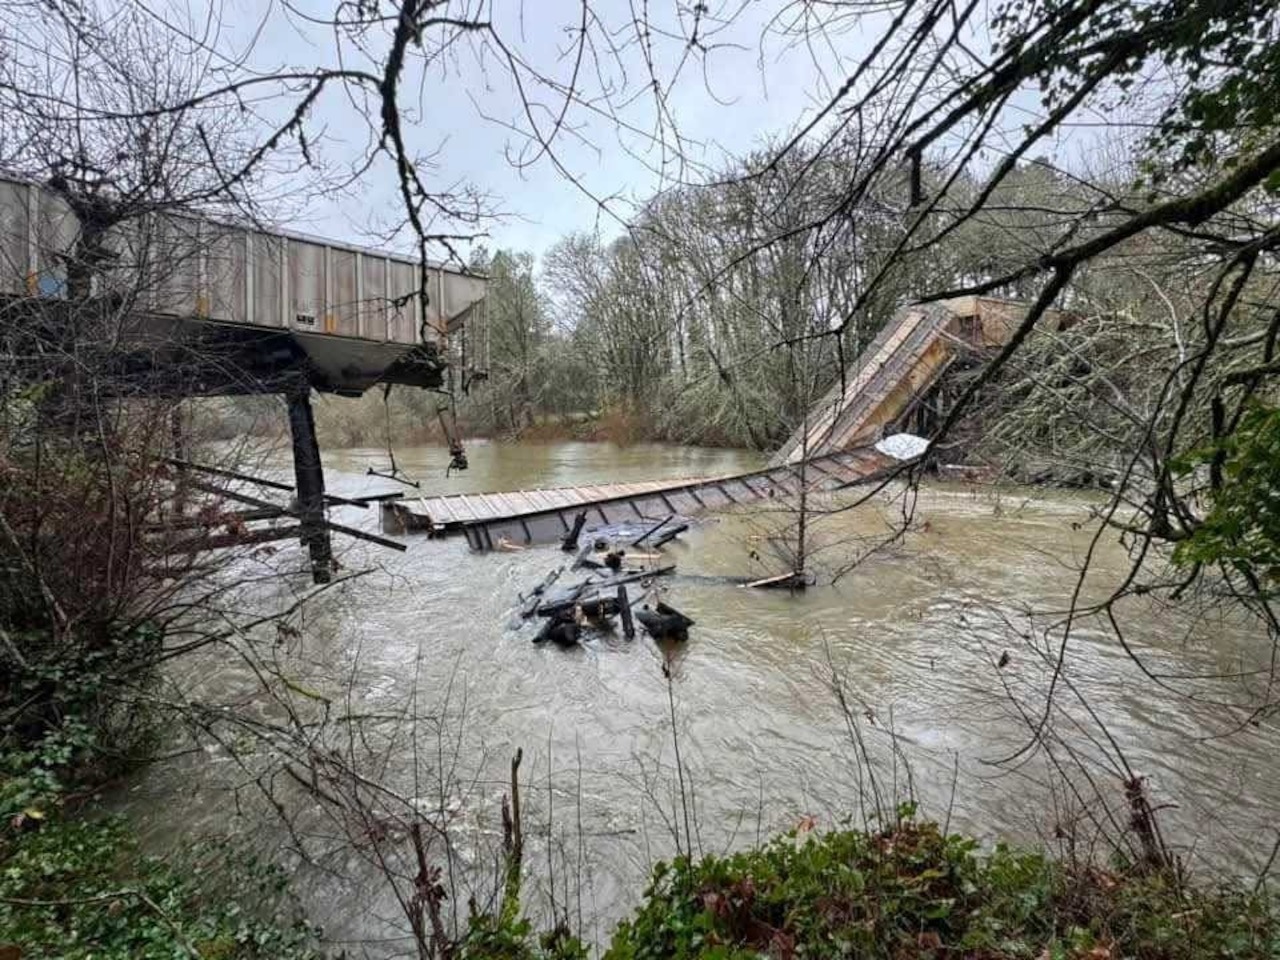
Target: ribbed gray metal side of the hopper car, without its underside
[{"x": 191, "y": 268}]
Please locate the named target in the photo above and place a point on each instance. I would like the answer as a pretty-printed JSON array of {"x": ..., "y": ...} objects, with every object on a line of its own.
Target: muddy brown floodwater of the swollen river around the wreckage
[{"x": 916, "y": 633}]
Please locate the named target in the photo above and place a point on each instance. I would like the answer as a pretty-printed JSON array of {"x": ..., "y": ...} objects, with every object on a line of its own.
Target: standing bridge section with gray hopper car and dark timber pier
[{"x": 175, "y": 305}]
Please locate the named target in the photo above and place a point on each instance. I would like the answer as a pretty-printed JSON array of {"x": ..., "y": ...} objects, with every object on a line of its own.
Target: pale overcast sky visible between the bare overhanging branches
[{"x": 752, "y": 85}]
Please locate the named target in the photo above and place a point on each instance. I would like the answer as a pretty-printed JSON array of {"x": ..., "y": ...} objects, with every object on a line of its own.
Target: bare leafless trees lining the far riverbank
[{"x": 714, "y": 318}]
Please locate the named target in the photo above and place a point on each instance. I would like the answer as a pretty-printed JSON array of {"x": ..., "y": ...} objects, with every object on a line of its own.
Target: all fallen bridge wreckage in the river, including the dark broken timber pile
[{"x": 863, "y": 432}]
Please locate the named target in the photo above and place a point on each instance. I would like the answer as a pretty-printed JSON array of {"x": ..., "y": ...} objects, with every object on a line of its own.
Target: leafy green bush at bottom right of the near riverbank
[{"x": 916, "y": 893}]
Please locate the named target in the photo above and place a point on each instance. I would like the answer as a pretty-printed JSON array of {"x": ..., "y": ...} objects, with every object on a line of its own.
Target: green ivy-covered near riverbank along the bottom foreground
[{"x": 81, "y": 892}]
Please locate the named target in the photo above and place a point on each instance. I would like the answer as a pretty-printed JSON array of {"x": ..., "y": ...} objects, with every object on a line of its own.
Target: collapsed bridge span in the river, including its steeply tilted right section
[{"x": 899, "y": 383}]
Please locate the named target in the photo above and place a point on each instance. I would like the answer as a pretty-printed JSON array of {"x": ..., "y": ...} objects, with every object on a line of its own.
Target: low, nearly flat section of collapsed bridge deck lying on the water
[{"x": 545, "y": 516}]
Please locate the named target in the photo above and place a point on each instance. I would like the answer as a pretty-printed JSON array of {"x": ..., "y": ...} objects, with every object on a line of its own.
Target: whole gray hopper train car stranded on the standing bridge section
[{"x": 354, "y": 313}]
